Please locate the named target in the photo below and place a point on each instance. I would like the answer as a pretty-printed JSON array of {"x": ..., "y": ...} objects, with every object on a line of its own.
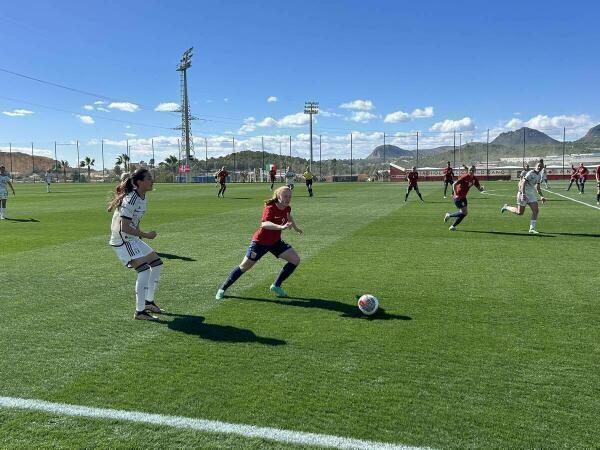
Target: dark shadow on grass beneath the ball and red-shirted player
[{"x": 346, "y": 310}]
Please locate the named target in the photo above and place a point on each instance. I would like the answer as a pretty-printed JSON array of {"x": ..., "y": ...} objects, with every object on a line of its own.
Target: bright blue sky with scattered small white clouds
[{"x": 375, "y": 67}]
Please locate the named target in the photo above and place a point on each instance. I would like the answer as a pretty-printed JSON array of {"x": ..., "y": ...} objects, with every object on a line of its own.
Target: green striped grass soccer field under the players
[{"x": 488, "y": 337}]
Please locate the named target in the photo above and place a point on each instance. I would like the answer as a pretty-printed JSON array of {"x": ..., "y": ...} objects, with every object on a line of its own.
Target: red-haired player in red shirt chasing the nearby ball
[{"x": 277, "y": 216}]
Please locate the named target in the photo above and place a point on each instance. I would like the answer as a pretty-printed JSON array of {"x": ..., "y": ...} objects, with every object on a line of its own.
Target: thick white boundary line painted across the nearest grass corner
[{"x": 211, "y": 426}]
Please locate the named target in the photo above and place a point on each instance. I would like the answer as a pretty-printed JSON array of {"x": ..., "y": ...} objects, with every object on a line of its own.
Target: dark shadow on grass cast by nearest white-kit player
[{"x": 196, "y": 326}]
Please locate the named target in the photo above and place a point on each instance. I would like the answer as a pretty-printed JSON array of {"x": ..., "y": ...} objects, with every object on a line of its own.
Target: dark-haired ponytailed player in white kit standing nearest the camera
[{"x": 129, "y": 205}]
